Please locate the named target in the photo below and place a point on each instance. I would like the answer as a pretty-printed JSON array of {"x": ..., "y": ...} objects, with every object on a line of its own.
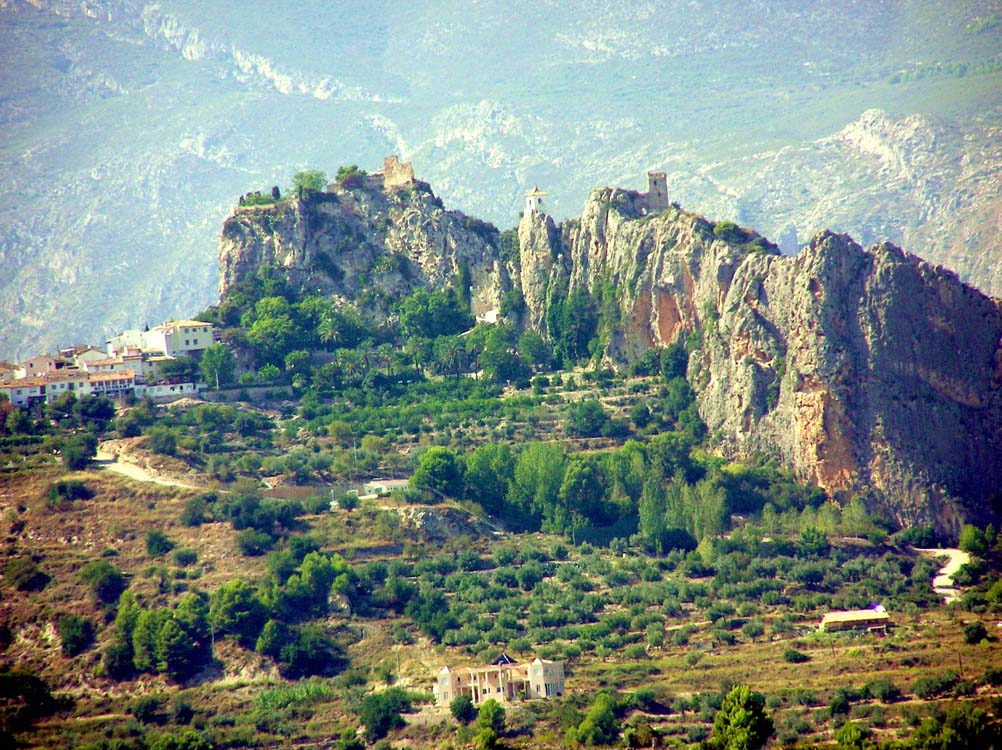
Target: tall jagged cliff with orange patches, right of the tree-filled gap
[{"x": 864, "y": 371}]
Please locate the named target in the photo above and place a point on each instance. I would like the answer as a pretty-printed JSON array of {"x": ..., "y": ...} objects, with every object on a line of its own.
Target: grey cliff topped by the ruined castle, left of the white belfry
[{"x": 366, "y": 245}]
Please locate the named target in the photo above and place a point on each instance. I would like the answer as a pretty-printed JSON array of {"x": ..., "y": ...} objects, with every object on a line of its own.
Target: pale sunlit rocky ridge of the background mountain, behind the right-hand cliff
[{"x": 926, "y": 184}]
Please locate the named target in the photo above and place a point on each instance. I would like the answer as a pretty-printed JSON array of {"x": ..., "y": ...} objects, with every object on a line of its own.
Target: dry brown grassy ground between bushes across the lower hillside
[{"x": 123, "y": 511}]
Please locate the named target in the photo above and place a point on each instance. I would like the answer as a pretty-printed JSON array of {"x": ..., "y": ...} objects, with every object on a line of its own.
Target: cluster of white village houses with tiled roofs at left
[{"x": 130, "y": 366}]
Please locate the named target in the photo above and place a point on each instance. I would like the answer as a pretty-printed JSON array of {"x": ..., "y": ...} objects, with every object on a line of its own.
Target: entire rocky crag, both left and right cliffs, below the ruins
[{"x": 865, "y": 371}]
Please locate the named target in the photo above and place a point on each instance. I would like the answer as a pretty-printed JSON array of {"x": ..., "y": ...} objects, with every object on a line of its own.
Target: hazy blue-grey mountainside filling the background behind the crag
[{"x": 132, "y": 129}]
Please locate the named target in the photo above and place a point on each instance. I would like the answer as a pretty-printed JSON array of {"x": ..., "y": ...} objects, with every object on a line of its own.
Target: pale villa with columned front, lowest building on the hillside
[{"x": 505, "y": 681}]
